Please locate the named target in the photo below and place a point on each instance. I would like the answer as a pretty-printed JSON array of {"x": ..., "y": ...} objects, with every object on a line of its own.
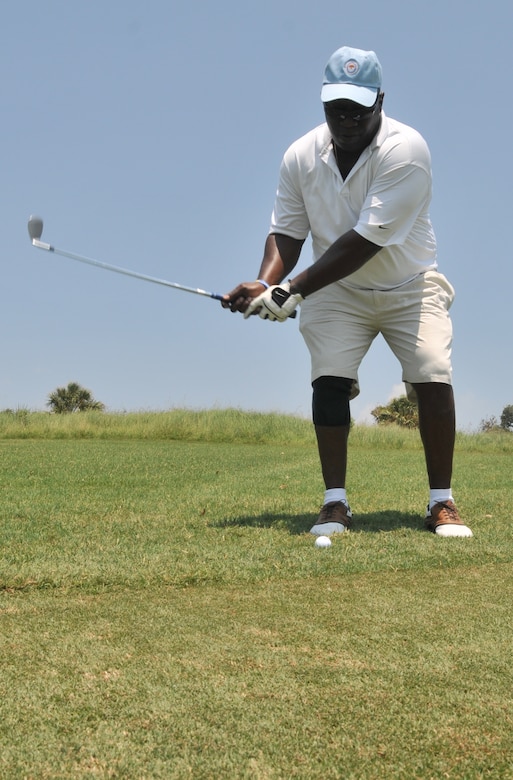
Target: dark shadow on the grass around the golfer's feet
[{"x": 372, "y": 522}]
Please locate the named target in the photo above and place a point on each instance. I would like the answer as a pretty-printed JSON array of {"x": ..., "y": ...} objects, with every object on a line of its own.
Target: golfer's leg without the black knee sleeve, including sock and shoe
[{"x": 437, "y": 424}]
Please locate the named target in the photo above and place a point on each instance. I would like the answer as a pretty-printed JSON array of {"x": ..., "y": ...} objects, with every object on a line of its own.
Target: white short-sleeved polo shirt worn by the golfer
[{"x": 385, "y": 198}]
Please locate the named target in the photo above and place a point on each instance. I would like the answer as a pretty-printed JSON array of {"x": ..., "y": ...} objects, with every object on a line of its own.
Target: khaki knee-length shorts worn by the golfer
[{"x": 339, "y": 324}]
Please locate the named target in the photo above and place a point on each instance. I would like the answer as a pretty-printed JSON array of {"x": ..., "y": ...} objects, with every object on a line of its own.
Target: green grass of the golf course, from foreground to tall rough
[{"x": 165, "y": 614}]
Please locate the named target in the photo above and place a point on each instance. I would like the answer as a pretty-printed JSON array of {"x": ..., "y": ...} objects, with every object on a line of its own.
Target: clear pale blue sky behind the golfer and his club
[{"x": 149, "y": 135}]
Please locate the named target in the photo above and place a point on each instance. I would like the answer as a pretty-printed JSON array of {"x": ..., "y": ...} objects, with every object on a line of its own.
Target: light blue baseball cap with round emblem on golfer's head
[{"x": 352, "y": 74}]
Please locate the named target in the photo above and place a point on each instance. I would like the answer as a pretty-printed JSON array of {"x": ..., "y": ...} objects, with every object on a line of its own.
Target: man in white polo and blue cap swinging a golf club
[{"x": 361, "y": 185}]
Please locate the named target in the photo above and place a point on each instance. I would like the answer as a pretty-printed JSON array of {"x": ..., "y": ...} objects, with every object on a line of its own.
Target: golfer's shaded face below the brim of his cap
[{"x": 351, "y": 125}]
